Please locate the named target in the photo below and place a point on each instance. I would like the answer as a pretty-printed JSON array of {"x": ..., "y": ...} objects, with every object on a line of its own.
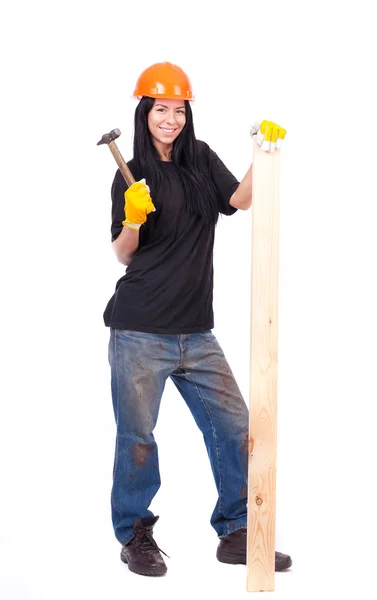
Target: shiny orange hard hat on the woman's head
[{"x": 164, "y": 80}]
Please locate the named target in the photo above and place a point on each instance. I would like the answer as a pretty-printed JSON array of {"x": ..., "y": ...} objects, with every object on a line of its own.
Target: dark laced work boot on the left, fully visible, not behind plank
[{"x": 142, "y": 553}]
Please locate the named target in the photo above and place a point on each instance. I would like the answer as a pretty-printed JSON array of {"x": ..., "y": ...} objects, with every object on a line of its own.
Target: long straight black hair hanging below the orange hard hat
[{"x": 190, "y": 156}]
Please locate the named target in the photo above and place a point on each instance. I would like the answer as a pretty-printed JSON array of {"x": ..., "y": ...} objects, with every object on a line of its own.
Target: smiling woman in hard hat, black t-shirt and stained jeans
[{"x": 161, "y": 316}]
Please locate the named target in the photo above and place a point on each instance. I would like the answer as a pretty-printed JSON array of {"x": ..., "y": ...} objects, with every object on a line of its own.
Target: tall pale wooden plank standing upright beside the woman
[{"x": 263, "y": 371}]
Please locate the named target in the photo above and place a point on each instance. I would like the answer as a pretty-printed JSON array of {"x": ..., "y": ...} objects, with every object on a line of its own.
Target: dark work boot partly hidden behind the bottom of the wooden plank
[{"x": 232, "y": 550}]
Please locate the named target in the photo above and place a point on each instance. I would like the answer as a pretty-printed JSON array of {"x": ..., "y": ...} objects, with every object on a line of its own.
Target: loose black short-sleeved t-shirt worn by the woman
[{"x": 168, "y": 285}]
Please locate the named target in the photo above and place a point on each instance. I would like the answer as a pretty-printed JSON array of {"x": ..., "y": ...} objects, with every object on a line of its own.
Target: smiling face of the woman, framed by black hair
[{"x": 166, "y": 119}]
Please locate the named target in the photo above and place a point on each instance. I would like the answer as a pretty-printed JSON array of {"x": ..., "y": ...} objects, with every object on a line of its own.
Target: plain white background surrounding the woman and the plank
[{"x": 68, "y": 73}]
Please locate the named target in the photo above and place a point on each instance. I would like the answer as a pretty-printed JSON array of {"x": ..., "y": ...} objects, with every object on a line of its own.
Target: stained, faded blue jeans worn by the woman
[{"x": 140, "y": 365}]
